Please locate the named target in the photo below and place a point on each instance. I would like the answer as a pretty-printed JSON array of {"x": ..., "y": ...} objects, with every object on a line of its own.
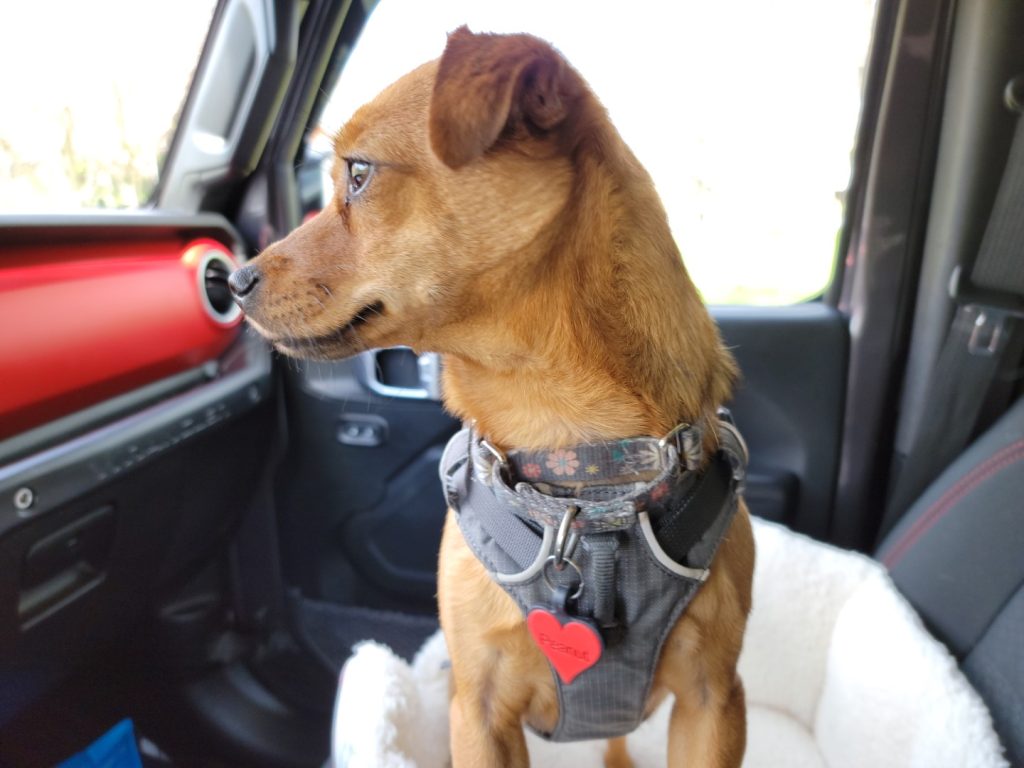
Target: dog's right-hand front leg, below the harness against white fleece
[{"x": 708, "y": 730}]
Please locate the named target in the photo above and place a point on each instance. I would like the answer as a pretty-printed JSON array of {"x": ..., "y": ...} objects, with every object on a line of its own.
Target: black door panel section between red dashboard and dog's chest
[{"x": 363, "y": 521}]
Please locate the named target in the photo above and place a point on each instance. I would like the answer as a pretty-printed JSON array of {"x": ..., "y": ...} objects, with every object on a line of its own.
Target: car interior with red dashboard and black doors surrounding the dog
[{"x": 195, "y": 532}]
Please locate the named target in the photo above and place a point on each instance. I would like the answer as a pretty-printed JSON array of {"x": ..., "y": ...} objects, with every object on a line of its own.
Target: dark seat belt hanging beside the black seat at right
[{"x": 985, "y": 339}]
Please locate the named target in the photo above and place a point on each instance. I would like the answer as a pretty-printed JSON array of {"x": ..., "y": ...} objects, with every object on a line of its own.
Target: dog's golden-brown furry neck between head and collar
[{"x": 604, "y": 334}]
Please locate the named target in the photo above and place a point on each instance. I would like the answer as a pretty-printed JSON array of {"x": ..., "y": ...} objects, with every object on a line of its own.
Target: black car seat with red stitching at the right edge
[{"x": 958, "y": 556}]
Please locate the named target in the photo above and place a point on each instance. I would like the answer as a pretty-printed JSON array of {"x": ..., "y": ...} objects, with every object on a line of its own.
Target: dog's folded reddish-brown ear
[{"x": 488, "y": 82}]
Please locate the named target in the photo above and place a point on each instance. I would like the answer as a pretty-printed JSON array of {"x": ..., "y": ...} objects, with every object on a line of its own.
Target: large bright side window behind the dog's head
[{"x": 744, "y": 113}]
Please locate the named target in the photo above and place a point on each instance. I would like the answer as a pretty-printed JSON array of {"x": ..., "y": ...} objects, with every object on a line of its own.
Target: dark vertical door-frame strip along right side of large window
[{"x": 881, "y": 286}]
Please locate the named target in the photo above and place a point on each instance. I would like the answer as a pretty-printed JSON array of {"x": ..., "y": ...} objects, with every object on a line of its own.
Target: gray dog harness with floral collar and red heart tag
[{"x": 603, "y": 546}]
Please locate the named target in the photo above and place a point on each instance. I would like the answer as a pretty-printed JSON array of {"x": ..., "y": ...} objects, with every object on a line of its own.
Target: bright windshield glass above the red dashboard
[{"x": 91, "y": 94}]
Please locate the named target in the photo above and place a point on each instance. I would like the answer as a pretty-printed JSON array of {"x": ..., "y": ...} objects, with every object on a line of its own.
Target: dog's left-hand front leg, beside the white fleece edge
[{"x": 480, "y": 744}]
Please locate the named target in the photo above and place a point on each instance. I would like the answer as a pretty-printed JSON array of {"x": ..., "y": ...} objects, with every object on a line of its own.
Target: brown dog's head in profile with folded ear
[{"x": 457, "y": 168}]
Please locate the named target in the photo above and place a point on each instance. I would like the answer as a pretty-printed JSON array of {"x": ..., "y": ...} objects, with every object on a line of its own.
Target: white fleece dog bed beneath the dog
[{"x": 838, "y": 668}]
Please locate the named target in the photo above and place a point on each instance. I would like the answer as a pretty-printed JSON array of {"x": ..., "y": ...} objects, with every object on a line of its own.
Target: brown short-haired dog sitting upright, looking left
[{"x": 487, "y": 209}]
